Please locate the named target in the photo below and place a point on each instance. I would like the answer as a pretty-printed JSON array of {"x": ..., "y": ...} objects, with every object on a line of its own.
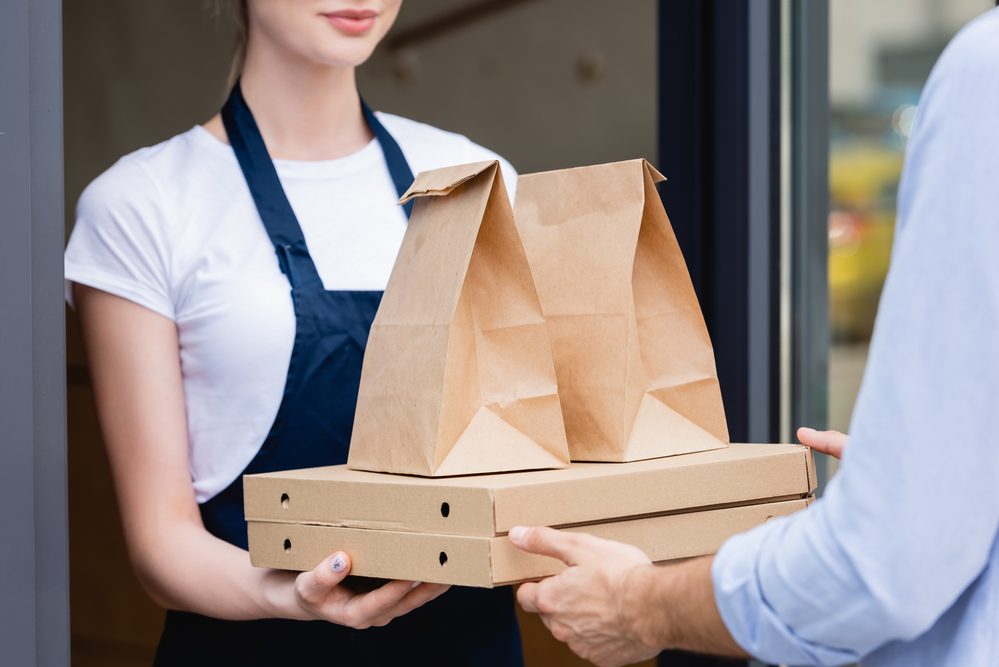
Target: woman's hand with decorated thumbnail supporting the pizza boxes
[{"x": 321, "y": 596}]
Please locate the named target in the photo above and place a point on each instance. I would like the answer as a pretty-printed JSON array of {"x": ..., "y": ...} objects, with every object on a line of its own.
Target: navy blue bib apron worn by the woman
[{"x": 313, "y": 425}]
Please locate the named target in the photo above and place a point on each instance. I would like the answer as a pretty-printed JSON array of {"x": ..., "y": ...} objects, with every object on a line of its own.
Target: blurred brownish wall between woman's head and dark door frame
[{"x": 547, "y": 83}]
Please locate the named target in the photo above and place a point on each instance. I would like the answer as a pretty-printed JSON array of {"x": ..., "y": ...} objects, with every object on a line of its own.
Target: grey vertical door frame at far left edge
[{"x": 34, "y": 562}]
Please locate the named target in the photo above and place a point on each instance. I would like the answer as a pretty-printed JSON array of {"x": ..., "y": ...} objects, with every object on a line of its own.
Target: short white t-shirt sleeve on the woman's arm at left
[{"x": 119, "y": 240}]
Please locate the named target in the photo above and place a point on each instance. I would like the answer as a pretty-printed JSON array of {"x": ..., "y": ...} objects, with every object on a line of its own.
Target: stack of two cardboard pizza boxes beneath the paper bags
[{"x": 453, "y": 530}]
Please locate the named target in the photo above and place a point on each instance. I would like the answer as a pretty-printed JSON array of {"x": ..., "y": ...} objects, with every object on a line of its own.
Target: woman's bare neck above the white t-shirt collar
[{"x": 305, "y": 111}]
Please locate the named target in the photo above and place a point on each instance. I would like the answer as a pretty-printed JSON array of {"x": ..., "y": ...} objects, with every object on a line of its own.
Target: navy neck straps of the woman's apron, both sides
[{"x": 269, "y": 197}]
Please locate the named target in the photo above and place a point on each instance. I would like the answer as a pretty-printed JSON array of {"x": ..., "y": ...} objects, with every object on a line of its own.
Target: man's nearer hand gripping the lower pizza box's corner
[{"x": 592, "y": 606}]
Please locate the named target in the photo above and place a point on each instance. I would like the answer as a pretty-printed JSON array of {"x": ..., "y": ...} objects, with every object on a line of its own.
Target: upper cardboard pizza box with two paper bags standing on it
[{"x": 416, "y": 504}]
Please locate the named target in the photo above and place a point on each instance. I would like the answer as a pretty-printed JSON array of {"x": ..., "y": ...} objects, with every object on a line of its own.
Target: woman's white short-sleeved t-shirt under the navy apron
[{"x": 173, "y": 228}]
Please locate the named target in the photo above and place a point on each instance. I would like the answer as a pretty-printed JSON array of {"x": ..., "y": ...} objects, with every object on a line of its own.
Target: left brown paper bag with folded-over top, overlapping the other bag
[{"x": 458, "y": 375}]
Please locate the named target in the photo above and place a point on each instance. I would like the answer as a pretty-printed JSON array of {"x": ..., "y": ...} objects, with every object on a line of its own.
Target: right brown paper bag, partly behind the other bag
[{"x": 635, "y": 367}]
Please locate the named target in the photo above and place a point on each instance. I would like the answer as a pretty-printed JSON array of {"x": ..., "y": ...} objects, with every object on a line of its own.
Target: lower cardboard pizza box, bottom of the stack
[{"x": 492, "y": 561}]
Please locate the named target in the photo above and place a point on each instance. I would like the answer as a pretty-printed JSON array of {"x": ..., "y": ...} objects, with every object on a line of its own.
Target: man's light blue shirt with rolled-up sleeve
[{"x": 898, "y": 563}]
